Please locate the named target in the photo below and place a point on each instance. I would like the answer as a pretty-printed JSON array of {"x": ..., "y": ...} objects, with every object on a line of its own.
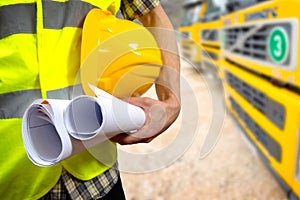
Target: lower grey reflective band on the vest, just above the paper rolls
[{"x": 14, "y": 104}]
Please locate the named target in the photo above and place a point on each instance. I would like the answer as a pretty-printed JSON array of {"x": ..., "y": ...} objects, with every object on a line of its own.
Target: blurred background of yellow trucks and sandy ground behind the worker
[{"x": 238, "y": 133}]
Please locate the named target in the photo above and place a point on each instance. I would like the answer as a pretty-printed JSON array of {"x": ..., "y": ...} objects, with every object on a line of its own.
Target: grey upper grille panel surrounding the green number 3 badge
[{"x": 252, "y": 41}]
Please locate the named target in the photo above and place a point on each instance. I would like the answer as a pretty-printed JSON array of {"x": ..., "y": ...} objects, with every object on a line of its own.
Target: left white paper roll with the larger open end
[{"x": 45, "y": 138}]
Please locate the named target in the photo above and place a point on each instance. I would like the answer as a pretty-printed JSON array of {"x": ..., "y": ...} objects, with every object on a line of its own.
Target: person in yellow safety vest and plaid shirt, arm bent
[{"x": 39, "y": 58}]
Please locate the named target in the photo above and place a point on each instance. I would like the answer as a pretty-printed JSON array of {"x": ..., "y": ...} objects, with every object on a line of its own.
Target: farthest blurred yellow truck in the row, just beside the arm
[{"x": 189, "y": 43}]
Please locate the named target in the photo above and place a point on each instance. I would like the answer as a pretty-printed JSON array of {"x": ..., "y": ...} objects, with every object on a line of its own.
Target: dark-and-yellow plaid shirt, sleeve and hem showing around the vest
[{"x": 71, "y": 187}]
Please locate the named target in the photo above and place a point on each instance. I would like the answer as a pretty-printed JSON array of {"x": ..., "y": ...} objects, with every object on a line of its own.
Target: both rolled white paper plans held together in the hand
[{"x": 54, "y": 130}]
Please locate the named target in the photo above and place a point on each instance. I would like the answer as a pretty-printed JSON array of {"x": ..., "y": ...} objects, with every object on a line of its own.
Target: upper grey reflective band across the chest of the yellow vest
[{"x": 21, "y": 18}]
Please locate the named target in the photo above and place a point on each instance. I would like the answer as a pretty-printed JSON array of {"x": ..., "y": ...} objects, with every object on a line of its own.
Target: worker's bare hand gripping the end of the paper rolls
[{"x": 159, "y": 116}]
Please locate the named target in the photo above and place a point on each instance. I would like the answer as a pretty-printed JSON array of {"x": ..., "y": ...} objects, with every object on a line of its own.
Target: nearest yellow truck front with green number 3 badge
[{"x": 260, "y": 43}]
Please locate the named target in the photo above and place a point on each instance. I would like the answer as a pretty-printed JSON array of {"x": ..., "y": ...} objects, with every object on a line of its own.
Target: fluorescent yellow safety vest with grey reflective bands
[{"x": 39, "y": 58}]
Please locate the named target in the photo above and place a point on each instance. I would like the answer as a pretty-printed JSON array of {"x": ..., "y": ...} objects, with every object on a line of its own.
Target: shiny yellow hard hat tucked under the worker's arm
[{"x": 117, "y": 55}]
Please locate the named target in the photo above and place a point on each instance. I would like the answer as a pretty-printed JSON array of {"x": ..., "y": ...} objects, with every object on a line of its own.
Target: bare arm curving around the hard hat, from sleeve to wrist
[{"x": 167, "y": 84}]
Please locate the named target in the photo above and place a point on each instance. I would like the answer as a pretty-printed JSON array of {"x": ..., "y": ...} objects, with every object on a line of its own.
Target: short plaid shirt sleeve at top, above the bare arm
[{"x": 133, "y": 9}]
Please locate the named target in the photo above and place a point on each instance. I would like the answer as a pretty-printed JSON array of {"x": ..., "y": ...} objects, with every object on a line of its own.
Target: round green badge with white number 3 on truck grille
[{"x": 278, "y": 45}]
